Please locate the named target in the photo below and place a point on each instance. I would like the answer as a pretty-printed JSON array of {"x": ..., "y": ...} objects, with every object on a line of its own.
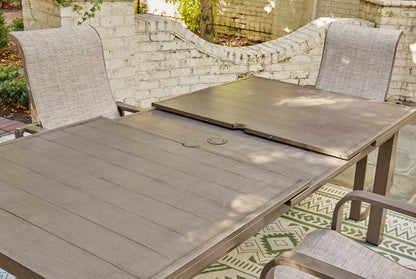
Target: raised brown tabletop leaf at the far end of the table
[{"x": 322, "y": 121}]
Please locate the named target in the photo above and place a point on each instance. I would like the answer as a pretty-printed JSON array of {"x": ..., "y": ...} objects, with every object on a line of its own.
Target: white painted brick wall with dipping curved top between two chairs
[{"x": 173, "y": 61}]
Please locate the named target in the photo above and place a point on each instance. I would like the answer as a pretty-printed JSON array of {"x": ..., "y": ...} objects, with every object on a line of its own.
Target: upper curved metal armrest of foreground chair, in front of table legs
[{"x": 373, "y": 200}]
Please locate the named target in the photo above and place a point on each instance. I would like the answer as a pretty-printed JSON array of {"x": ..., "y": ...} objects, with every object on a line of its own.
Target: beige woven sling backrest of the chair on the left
[{"x": 66, "y": 75}]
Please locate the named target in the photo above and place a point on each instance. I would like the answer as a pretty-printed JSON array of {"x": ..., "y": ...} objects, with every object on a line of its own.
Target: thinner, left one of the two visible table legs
[{"x": 359, "y": 179}]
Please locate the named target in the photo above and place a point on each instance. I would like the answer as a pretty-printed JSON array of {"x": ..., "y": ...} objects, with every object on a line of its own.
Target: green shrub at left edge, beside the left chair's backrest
[{"x": 13, "y": 85}]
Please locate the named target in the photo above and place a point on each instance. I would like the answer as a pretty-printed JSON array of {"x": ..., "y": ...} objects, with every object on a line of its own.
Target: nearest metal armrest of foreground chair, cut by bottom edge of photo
[{"x": 308, "y": 265}]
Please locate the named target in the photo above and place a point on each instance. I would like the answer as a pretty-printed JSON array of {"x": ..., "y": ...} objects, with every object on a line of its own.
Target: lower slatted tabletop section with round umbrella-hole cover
[{"x": 150, "y": 195}]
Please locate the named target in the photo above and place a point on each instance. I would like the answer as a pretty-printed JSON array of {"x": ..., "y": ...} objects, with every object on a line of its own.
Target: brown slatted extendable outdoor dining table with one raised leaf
[{"x": 159, "y": 195}]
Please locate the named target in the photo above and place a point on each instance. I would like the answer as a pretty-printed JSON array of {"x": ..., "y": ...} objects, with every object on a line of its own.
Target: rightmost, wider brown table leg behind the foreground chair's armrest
[{"x": 382, "y": 184}]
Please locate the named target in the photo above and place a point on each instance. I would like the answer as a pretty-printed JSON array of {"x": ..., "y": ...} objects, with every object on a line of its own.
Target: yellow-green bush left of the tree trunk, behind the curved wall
[{"x": 190, "y": 12}]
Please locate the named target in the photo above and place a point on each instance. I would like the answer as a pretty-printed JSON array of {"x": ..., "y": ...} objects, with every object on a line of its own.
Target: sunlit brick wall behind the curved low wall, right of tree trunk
[{"x": 270, "y": 19}]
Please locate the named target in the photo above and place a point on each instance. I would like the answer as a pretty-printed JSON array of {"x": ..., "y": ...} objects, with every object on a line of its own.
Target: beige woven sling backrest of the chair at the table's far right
[{"x": 358, "y": 60}]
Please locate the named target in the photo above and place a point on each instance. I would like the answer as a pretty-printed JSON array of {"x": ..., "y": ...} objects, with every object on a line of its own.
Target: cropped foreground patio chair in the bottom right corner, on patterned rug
[{"x": 326, "y": 253}]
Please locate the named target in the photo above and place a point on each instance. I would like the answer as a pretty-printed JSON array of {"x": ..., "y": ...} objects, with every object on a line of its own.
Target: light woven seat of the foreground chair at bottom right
[{"x": 336, "y": 249}]
